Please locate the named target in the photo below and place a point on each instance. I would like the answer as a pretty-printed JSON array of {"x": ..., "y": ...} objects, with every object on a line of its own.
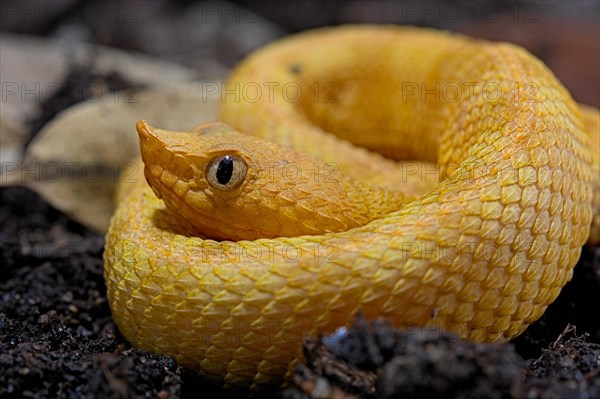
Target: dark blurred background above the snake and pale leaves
[{"x": 211, "y": 36}]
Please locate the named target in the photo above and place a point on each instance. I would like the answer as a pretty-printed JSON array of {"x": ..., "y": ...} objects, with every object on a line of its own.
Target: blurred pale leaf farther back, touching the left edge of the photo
[{"x": 33, "y": 70}]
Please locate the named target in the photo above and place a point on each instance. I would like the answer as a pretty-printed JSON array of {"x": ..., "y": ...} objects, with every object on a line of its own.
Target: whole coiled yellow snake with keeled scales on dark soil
[{"x": 481, "y": 251}]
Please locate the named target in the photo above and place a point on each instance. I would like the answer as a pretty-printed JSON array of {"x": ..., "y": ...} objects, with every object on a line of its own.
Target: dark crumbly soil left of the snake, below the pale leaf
[{"x": 57, "y": 338}]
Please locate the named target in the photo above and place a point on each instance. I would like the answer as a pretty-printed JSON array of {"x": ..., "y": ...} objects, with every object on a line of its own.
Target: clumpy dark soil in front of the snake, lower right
[{"x": 373, "y": 360}]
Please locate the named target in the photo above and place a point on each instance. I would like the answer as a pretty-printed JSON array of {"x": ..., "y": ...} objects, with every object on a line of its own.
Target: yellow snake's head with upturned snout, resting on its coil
[{"x": 232, "y": 186}]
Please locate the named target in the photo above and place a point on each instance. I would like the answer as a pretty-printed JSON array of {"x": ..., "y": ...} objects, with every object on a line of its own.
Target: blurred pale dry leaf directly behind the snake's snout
[{"x": 75, "y": 161}]
